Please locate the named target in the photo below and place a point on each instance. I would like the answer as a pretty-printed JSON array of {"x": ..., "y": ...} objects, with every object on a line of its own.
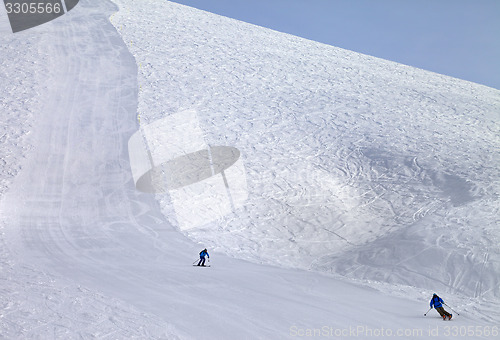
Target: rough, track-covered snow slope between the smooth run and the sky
[{"x": 356, "y": 165}]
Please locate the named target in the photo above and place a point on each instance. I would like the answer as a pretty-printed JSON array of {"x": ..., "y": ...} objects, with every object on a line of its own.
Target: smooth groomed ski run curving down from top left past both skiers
[{"x": 73, "y": 215}]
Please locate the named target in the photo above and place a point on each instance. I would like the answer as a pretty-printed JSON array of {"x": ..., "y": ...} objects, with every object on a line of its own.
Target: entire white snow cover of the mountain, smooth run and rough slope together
[{"x": 367, "y": 185}]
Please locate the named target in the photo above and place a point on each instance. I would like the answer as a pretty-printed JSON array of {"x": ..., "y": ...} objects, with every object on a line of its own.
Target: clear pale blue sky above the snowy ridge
[{"x": 460, "y": 38}]
